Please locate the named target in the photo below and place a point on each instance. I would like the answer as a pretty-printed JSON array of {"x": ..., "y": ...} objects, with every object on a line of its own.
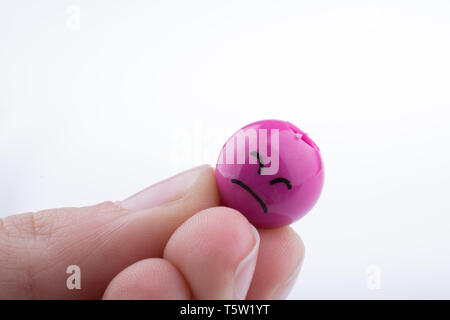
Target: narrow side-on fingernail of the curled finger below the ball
[{"x": 244, "y": 272}]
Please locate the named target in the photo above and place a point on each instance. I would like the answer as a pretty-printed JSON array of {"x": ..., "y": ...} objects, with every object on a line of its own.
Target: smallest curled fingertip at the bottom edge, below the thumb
[{"x": 149, "y": 279}]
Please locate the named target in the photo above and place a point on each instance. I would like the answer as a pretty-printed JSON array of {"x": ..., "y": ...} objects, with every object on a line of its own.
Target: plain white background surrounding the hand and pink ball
[{"x": 99, "y": 99}]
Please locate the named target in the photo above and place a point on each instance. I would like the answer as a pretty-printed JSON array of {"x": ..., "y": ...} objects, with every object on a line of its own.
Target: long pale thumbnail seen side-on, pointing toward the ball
[{"x": 164, "y": 191}]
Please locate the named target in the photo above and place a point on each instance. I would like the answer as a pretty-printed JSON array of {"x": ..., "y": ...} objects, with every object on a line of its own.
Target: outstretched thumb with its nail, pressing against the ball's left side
[{"x": 36, "y": 249}]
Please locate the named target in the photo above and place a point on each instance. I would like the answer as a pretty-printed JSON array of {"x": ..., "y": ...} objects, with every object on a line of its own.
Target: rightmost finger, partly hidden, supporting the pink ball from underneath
[{"x": 281, "y": 253}]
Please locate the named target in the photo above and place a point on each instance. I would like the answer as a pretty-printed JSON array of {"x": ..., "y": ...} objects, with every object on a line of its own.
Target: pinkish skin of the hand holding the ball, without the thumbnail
[{"x": 185, "y": 248}]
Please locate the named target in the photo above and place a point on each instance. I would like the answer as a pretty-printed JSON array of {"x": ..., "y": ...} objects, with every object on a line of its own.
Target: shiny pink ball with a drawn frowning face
[{"x": 271, "y": 172}]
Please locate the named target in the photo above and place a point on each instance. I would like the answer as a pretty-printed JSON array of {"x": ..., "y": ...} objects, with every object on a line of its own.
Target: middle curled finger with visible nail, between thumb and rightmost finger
[{"x": 216, "y": 251}]
